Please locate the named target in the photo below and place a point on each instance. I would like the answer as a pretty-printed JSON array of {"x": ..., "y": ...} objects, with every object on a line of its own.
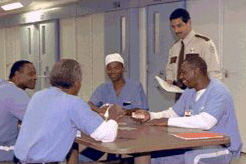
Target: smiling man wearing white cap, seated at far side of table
[{"x": 124, "y": 92}]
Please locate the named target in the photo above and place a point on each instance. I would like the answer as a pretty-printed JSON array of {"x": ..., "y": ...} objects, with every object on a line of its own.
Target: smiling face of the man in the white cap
[{"x": 115, "y": 71}]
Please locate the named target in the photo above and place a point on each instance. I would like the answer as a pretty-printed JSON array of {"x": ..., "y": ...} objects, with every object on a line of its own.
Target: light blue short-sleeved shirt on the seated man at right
[{"x": 216, "y": 101}]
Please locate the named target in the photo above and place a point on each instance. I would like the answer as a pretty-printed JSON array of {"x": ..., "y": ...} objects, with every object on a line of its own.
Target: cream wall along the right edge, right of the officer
[{"x": 234, "y": 57}]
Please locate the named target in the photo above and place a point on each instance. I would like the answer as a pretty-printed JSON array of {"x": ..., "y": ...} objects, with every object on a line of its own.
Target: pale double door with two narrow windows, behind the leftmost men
[{"x": 40, "y": 45}]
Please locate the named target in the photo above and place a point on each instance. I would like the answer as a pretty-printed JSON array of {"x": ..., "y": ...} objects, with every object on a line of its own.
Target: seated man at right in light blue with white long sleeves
[{"x": 206, "y": 104}]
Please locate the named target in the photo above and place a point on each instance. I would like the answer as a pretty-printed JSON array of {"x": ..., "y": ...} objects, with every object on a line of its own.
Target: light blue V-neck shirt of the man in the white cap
[{"x": 132, "y": 95}]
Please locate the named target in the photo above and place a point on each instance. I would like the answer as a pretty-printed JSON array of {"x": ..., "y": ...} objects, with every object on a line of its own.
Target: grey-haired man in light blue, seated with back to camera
[{"x": 54, "y": 115}]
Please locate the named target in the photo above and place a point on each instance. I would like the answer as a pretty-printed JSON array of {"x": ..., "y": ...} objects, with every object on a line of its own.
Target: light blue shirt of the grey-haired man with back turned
[{"x": 50, "y": 124}]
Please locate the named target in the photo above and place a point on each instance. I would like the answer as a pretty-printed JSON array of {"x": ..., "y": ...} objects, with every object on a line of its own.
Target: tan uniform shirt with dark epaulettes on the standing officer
[{"x": 194, "y": 45}]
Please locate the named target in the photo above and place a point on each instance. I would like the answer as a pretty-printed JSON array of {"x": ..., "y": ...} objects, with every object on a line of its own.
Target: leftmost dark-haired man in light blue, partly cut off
[{"x": 13, "y": 103}]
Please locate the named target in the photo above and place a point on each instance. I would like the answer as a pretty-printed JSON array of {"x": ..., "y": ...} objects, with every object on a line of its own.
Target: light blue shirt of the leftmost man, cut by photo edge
[{"x": 13, "y": 103}]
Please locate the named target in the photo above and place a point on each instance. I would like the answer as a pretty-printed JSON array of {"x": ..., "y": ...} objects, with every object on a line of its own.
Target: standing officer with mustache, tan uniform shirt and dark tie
[{"x": 189, "y": 44}]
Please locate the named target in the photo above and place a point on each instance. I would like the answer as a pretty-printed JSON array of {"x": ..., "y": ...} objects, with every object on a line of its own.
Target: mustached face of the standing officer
[{"x": 180, "y": 28}]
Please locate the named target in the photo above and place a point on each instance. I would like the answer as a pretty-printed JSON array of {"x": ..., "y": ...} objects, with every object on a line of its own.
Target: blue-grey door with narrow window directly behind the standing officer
[{"x": 160, "y": 39}]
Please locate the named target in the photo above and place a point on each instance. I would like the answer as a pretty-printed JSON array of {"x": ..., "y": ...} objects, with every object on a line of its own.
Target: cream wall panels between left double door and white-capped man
[{"x": 82, "y": 39}]
